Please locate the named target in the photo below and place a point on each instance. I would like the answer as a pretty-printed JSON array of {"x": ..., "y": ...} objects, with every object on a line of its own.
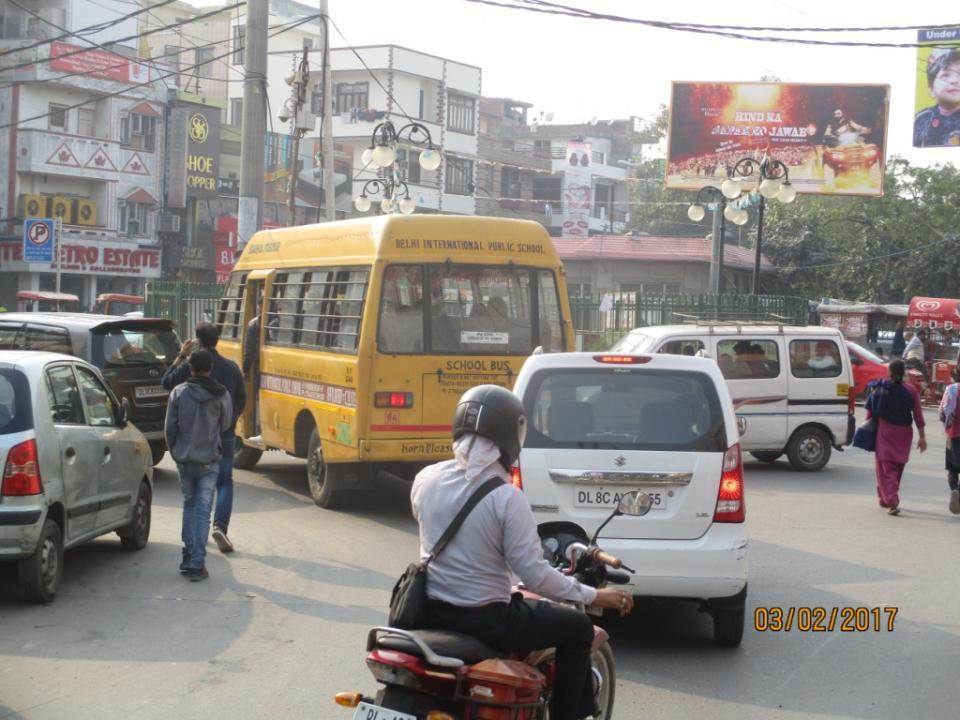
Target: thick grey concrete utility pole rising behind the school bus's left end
[{"x": 254, "y": 121}]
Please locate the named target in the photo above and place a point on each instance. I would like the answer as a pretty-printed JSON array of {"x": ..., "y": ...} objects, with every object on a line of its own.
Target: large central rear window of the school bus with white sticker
[{"x": 478, "y": 309}]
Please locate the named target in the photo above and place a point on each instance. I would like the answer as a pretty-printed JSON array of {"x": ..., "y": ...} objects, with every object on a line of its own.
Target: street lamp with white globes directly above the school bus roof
[{"x": 382, "y": 153}]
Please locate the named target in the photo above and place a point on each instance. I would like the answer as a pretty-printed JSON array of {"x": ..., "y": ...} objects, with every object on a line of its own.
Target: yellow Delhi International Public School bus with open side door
[{"x": 371, "y": 329}]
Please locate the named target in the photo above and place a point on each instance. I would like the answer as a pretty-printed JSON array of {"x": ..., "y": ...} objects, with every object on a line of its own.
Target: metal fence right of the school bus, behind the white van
[{"x": 600, "y": 322}]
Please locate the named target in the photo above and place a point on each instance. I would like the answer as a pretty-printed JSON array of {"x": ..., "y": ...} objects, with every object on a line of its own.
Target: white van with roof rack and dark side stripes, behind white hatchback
[{"x": 792, "y": 387}]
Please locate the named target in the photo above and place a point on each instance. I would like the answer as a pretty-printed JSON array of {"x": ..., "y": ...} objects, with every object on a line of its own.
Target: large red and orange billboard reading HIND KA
[{"x": 832, "y": 138}]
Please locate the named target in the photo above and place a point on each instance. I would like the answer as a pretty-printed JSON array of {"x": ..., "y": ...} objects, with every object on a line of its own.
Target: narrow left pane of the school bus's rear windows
[{"x": 401, "y": 310}]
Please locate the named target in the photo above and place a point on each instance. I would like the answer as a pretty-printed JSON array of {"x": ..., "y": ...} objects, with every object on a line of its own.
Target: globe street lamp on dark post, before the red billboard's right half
[{"x": 771, "y": 179}]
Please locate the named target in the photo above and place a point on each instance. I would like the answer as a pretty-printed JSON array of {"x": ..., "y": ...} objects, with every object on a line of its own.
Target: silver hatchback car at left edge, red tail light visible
[{"x": 73, "y": 467}]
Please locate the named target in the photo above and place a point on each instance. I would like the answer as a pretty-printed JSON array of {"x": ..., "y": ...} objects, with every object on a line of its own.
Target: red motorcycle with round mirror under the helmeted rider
[{"x": 440, "y": 675}]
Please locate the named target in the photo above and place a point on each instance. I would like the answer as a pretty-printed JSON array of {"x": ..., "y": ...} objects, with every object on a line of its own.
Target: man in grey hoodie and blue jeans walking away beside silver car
[{"x": 199, "y": 411}]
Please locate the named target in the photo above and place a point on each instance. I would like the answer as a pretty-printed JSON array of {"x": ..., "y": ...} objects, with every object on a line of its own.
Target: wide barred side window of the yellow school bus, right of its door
[{"x": 319, "y": 308}]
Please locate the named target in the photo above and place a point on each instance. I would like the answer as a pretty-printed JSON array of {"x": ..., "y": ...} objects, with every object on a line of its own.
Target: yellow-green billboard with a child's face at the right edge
[{"x": 936, "y": 122}]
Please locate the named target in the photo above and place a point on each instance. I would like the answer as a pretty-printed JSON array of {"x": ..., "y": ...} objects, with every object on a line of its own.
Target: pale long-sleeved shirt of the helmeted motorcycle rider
[{"x": 498, "y": 537}]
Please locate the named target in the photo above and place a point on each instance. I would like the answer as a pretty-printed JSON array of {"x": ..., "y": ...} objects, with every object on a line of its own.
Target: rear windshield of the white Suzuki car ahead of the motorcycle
[{"x": 624, "y": 409}]
